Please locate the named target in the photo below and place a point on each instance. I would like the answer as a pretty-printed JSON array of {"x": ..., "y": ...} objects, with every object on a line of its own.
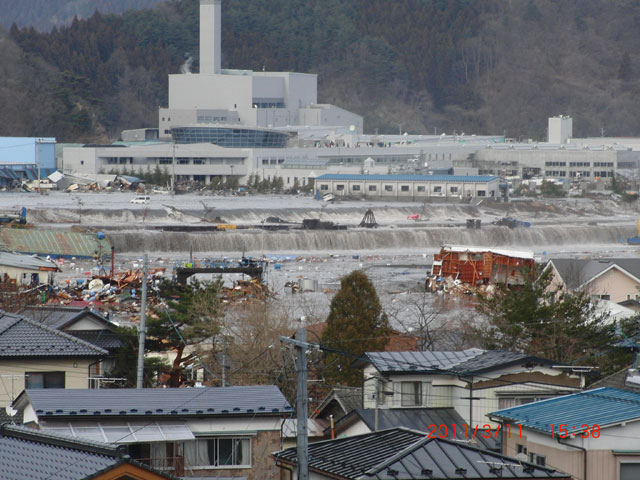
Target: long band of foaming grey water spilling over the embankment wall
[{"x": 551, "y": 236}]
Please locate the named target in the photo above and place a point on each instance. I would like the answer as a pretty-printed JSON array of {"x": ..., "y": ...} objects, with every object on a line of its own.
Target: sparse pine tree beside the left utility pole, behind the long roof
[{"x": 189, "y": 316}]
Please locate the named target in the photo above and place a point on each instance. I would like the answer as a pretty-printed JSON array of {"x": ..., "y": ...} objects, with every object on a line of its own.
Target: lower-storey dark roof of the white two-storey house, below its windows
[{"x": 421, "y": 419}]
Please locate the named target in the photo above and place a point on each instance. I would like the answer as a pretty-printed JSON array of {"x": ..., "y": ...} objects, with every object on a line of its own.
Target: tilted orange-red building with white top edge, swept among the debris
[{"x": 482, "y": 265}]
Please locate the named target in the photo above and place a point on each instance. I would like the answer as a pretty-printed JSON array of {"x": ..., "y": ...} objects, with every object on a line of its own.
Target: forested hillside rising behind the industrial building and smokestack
[{"x": 487, "y": 67}]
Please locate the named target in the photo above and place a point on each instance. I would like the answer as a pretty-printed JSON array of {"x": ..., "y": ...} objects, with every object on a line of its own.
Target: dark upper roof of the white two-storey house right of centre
[{"x": 471, "y": 361}]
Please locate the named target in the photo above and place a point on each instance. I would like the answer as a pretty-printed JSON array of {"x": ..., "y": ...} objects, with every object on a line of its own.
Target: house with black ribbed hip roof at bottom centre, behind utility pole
[{"x": 401, "y": 453}]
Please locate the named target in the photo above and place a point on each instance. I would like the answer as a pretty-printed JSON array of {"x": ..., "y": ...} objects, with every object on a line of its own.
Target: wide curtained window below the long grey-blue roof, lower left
[{"x": 218, "y": 452}]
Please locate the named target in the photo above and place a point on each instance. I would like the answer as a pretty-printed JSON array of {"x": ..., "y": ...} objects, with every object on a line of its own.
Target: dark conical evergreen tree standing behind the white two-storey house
[{"x": 355, "y": 325}]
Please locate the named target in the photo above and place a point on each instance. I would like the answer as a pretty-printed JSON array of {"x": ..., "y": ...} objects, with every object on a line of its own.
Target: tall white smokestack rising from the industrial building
[{"x": 210, "y": 38}]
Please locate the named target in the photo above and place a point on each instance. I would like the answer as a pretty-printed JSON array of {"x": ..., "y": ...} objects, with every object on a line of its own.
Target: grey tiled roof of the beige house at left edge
[{"x": 21, "y": 337}]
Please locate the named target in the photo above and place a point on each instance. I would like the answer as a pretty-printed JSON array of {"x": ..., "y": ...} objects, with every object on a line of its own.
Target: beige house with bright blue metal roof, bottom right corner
[{"x": 592, "y": 435}]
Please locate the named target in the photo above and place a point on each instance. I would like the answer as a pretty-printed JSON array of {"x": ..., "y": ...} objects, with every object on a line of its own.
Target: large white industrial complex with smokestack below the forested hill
[{"x": 237, "y": 123}]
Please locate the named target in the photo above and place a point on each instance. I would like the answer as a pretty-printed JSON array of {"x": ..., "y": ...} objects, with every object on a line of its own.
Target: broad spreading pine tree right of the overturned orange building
[{"x": 542, "y": 319}]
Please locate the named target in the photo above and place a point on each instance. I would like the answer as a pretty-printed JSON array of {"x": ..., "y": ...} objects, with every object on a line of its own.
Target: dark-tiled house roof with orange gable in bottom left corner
[{"x": 28, "y": 454}]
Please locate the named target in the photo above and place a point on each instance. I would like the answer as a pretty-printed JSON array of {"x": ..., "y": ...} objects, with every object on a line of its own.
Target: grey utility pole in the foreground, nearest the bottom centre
[{"x": 302, "y": 439}]
